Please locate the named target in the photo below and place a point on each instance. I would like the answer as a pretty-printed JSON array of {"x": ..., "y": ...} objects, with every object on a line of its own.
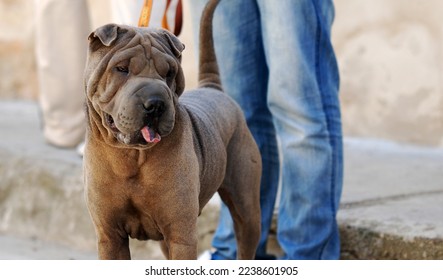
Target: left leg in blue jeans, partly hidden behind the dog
[{"x": 244, "y": 73}]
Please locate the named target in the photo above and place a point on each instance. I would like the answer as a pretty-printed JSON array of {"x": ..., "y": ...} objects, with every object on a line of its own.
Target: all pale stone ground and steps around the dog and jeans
[{"x": 391, "y": 207}]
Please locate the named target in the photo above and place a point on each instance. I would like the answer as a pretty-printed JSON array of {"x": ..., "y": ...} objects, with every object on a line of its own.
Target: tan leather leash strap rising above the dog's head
[{"x": 145, "y": 16}]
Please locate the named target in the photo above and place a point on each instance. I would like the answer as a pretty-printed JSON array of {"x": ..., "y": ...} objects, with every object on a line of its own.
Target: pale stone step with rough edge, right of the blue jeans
[{"x": 392, "y": 204}]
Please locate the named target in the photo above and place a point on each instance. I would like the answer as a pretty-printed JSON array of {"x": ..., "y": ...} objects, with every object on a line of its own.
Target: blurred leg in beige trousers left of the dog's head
[{"x": 62, "y": 28}]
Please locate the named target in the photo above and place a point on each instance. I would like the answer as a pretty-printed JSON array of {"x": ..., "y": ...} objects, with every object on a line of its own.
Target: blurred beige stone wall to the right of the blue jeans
[{"x": 390, "y": 56}]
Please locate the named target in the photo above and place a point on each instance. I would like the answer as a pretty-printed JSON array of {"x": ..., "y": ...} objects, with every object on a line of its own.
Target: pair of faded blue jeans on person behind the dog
[{"x": 276, "y": 60}]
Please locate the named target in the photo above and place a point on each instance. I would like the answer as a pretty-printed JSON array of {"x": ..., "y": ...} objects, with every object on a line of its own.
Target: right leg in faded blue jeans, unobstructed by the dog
[{"x": 303, "y": 98}]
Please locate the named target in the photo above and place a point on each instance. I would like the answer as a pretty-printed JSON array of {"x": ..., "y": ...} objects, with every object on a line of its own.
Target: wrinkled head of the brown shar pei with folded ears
[{"x": 133, "y": 79}]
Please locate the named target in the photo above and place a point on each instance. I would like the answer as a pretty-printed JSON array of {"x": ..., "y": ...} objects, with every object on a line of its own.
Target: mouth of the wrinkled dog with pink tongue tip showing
[{"x": 145, "y": 135}]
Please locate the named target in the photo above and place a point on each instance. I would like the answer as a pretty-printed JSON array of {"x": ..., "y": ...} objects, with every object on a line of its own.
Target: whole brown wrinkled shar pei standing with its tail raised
[{"x": 155, "y": 155}]
